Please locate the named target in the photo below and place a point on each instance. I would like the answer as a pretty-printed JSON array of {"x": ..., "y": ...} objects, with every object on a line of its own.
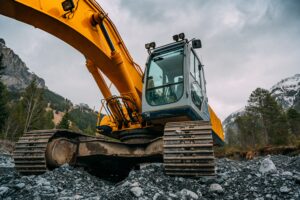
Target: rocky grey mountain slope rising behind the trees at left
[{"x": 16, "y": 76}]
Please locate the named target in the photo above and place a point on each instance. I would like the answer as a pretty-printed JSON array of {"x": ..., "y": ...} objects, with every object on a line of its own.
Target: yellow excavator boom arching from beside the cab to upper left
[{"x": 84, "y": 25}]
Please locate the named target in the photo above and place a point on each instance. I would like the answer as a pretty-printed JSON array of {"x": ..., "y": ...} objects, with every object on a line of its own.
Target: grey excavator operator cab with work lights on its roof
[{"x": 174, "y": 83}]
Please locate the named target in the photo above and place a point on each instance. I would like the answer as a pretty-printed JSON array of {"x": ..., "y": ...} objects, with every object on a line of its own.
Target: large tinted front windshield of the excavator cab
[{"x": 165, "y": 78}]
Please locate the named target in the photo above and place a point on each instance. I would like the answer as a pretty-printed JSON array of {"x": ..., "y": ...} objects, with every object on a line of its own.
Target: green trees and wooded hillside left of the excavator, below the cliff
[{"x": 33, "y": 110}]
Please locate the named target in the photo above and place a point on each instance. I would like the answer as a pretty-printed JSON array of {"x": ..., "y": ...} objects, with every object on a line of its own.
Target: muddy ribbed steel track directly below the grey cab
[{"x": 188, "y": 149}]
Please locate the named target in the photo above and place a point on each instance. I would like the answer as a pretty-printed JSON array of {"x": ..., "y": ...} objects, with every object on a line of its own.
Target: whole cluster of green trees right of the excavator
[{"x": 264, "y": 123}]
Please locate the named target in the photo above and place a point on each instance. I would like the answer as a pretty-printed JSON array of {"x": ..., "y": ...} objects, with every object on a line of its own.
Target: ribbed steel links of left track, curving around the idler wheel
[{"x": 29, "y": 153}]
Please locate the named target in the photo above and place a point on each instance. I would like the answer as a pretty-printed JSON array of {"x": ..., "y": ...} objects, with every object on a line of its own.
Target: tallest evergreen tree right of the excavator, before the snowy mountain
[{"x": 264, "y": 121}]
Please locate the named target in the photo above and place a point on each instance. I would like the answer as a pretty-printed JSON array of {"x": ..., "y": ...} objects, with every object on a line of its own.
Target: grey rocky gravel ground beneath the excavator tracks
[{"x": 274, "y": 177}]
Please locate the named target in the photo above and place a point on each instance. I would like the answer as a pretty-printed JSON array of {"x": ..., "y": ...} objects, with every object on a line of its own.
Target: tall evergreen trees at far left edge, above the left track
[{"x": 27, "y": 113}]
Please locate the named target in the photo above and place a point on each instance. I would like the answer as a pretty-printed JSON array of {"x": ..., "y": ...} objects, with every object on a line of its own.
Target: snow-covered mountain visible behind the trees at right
[{"x": 286, "y": 92}]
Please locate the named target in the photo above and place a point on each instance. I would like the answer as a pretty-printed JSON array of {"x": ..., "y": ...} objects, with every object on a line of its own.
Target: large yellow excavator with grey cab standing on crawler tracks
[{"x": 159, "y": 115}]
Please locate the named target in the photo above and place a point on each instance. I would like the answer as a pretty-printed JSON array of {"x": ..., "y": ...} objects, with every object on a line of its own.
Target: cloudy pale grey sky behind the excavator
[{"x": 245, "y": 45}]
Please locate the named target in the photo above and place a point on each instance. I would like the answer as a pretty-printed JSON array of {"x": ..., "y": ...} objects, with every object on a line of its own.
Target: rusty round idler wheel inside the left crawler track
[{"x": 60, "y": 151}]
